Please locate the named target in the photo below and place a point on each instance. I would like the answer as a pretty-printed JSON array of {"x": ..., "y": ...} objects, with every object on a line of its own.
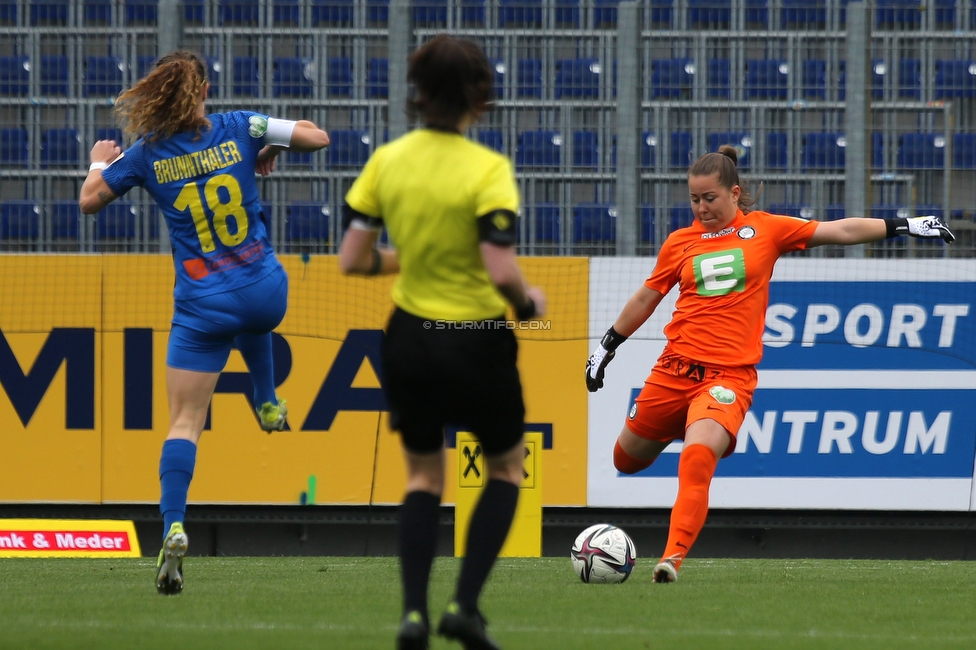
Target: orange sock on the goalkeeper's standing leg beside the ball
[{"x": 695, "y": 470}]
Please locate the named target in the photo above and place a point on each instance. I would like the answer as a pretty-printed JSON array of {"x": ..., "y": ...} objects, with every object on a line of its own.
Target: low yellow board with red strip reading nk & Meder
[{"x": 68, "y": 538}]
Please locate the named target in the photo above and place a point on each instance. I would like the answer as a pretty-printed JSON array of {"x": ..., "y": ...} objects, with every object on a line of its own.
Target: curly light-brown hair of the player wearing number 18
[{"x": 165, "y": 102}]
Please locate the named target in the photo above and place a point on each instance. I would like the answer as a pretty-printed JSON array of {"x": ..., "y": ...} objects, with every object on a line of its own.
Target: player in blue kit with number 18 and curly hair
[{"x": 231, "y": 290}]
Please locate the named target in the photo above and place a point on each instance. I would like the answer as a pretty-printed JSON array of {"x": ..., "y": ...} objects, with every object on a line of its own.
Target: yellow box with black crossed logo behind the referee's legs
[{"x": 525, "y": 537}]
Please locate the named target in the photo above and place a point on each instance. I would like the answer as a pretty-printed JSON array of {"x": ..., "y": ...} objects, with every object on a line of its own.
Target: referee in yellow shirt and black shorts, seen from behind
[{"x": 449, "y": 207}]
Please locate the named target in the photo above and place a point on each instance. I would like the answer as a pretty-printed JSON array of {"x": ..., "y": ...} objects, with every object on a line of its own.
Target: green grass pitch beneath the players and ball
[{"x": 350, "y": 603}]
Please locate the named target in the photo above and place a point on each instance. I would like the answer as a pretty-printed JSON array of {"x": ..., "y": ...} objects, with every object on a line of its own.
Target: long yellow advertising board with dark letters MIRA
[{"x": 326, "y": 365}]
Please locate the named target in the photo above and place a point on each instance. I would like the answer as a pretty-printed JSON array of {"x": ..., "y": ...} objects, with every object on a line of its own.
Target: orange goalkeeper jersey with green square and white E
[{"x": 723, "y": 279}]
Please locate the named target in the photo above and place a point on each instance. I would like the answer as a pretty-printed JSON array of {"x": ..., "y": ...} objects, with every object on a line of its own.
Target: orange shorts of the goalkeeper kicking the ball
[{"x": 680, "y": 391}]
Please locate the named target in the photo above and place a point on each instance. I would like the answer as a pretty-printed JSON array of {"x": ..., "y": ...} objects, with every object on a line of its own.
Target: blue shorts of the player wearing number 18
[{"x": 203, "y": 329}]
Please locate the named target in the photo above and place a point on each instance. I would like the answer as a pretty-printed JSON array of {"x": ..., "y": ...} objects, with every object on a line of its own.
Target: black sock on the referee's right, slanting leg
[{"x": 487, "y": 531}]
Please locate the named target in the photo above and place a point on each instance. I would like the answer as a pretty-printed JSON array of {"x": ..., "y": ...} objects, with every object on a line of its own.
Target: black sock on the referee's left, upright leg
[{"x": 417, "y": 541}]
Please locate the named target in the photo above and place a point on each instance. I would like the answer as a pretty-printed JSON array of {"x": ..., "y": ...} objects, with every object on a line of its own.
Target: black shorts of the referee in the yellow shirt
[{"x": 436, "y": 376}]
